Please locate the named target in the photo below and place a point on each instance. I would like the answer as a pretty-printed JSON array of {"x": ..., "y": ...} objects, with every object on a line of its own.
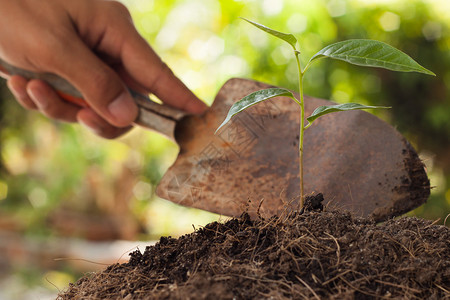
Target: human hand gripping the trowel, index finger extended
[{"x": 95, "y": 46}]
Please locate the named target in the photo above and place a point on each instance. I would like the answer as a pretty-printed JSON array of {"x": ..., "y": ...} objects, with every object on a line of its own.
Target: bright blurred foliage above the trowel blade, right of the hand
[{"x": 207, "y": 44}]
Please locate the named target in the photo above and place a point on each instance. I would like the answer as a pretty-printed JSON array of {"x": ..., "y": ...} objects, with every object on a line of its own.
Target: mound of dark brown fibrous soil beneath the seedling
[{"x": 314, "y": 255}]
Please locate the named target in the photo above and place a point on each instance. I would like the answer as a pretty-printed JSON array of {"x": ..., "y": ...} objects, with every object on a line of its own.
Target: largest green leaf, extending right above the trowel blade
[{"x": 372, "y": 54}]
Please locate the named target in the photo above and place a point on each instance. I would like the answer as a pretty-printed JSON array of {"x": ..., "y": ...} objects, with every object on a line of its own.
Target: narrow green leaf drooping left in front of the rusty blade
[{"x": 252, "y": 99}]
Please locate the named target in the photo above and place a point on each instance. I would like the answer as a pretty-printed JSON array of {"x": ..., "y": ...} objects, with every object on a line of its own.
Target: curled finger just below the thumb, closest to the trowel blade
[{"x": 89, "y": 119}]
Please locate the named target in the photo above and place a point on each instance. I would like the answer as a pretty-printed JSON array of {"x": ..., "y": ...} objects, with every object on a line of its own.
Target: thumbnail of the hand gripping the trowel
[{"x": 123, "y": 109}]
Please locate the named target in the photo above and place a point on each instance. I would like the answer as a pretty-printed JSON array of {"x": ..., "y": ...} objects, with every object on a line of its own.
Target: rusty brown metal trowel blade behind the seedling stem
[{"x": 360, "y": 163}]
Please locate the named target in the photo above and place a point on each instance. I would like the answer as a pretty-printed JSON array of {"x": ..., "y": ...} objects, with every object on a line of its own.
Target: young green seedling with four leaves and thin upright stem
[{"x": 362, "y": 52}]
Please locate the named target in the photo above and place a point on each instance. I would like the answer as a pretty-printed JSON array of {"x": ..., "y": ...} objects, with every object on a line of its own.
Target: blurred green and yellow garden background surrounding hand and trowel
[{"x": 59, "y": 181}]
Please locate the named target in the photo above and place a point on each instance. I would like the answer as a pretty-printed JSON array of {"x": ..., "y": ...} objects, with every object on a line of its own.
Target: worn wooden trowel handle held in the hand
[{"x": 161, "y": 118}]
